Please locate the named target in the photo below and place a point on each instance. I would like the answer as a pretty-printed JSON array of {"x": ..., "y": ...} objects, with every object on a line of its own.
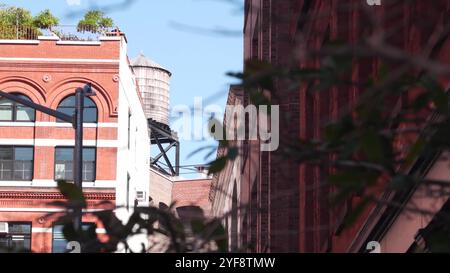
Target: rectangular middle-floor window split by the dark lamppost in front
[{"x": 64, "y": 164}]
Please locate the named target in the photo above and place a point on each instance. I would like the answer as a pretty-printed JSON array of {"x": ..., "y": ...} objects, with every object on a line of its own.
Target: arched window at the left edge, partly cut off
[{"x": 13, "y": 111}]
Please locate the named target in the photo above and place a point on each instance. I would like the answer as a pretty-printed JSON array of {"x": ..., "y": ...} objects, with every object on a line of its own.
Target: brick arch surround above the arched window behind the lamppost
[{"x": 105, "y": 106}]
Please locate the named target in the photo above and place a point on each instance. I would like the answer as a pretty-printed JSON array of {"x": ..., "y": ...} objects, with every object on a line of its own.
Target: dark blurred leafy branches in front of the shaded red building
[{"x": 372, "y": 146}]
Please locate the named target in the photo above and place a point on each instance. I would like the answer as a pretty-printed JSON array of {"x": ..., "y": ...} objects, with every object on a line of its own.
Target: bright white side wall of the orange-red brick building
[{"x": 133, "y": 155}]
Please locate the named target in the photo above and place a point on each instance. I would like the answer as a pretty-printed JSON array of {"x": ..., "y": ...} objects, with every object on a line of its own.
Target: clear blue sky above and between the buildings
[{"x": 197, "y": 59}]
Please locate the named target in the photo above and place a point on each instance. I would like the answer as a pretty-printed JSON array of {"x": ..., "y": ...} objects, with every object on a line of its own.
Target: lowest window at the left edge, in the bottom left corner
[{"x": 17, "y": 239}]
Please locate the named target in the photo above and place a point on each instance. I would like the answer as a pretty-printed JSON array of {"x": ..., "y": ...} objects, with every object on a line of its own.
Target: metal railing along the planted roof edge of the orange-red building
[{"x": 64, "y": 32}]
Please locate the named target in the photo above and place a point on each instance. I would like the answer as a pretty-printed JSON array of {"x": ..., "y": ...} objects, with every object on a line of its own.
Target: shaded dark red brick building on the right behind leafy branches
[{"x": 286, "y": 203}]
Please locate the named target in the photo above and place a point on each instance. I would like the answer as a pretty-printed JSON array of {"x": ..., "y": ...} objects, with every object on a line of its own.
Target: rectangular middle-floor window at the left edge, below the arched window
[{"x": 16, "y": 163}]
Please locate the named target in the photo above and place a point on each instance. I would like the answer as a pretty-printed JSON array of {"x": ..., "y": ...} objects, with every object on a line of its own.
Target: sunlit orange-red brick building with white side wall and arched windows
[{"x": 36, "y": 149}]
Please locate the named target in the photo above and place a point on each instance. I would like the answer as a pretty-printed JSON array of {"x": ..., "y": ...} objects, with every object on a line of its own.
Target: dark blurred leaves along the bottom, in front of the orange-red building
[{"x": 172, "y": 233}]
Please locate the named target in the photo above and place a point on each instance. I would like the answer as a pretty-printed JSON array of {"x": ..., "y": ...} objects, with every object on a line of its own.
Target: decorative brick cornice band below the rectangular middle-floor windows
[{"x": 54, "y": 195}]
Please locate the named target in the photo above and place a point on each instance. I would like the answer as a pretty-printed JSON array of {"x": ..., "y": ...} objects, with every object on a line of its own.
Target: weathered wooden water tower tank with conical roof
[{"x": 154, "y": 84}]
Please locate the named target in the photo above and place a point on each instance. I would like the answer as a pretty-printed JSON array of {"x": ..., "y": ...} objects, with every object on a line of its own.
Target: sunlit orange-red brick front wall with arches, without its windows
[{"x": 47, "y": 71}]
